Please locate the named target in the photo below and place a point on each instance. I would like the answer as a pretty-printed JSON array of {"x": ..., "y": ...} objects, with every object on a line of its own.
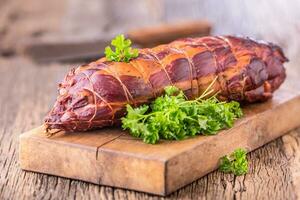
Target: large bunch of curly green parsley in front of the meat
[{"x": 173, "y": 117}]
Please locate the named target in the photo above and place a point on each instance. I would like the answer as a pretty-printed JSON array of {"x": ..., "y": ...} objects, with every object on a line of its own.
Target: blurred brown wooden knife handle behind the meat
[{"x": 165, "y": 33}]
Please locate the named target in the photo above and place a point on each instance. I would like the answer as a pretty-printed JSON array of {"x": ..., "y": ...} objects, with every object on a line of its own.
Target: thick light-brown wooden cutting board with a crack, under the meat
[{"x": 112, "y": 157}]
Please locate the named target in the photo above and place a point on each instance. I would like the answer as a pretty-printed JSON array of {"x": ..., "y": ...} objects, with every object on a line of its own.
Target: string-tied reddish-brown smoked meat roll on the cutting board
[{"x": 95, "y": 95}]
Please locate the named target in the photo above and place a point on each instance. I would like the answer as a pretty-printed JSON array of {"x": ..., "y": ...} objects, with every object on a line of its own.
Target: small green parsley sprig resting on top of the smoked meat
[{"x": 122, "y": 51}]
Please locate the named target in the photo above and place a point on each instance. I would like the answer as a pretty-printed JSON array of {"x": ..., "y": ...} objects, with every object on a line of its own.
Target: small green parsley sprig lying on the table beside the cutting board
[{"x": 235, "y": 163}]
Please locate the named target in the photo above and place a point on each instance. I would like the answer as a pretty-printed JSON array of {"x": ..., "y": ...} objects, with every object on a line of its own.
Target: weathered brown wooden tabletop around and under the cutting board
[{"x": 27, "y": 92}]
